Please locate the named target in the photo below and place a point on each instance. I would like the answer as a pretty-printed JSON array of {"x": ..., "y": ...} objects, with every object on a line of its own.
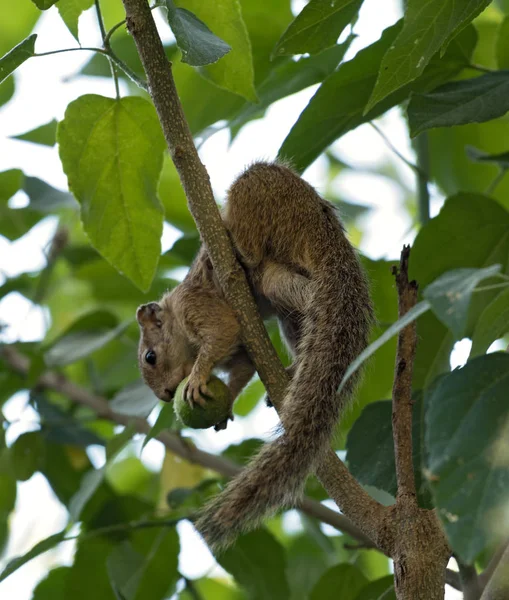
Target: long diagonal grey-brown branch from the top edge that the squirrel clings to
[{"x": 339, "y": 483}]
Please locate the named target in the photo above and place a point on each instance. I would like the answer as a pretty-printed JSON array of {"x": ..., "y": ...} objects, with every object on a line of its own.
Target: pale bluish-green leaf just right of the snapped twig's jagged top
[{"x": 450, "y": 294}]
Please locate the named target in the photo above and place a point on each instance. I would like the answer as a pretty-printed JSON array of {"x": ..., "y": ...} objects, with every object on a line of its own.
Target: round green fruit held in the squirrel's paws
[{"x": 216, "y": 410}]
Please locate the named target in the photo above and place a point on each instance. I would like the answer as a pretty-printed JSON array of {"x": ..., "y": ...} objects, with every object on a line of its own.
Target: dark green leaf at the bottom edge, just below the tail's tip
[{"x": 258, "y": 563}]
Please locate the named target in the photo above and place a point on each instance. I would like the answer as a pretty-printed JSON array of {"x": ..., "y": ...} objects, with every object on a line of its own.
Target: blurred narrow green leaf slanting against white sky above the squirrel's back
[{"x": 291, "y": 76}]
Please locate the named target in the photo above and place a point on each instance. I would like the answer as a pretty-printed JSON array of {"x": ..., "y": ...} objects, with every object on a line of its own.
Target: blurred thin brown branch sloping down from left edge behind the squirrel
[{"x": 172, "y": 442}]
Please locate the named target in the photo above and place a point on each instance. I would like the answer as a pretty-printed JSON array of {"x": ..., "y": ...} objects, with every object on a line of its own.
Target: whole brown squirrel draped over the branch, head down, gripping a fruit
[{"x": 302, "y": 268}]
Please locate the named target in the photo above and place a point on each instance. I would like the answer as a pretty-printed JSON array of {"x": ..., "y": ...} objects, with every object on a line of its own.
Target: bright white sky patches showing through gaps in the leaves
[{"x": 44, "y": 88}]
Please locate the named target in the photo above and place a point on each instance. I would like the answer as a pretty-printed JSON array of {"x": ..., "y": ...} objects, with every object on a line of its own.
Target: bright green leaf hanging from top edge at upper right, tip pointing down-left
[{"x": 429, "y": 26}]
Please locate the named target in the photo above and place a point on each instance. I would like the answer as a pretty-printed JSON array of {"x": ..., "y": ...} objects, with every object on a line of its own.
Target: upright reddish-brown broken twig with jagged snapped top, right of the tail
[{"x": 402, "y": 389}]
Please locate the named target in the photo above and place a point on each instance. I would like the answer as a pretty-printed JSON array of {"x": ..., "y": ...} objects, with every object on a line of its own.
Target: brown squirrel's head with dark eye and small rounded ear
[{"x": 164, "y": 355}]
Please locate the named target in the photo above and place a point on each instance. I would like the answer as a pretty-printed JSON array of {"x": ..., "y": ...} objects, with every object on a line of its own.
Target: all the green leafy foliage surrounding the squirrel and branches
[{"x": 444, "y": 63}]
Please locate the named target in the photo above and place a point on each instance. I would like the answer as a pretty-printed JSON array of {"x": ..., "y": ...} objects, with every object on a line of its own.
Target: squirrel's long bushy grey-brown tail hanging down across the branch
[{"x": 335, "y": 330}]
